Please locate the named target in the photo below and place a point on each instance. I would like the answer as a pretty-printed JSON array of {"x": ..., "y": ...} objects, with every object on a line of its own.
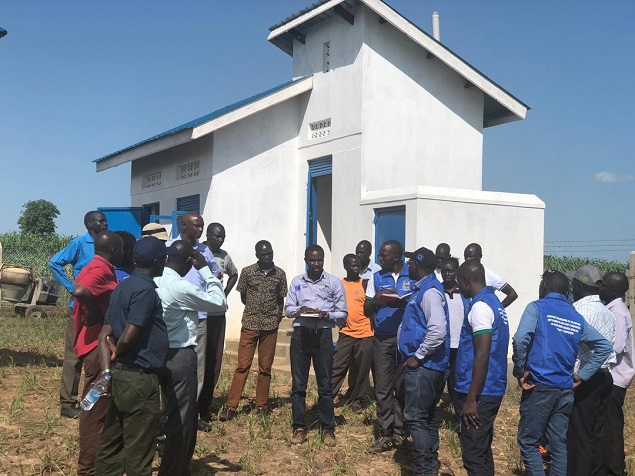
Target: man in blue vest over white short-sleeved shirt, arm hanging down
[{"x": 481, "y": 368}]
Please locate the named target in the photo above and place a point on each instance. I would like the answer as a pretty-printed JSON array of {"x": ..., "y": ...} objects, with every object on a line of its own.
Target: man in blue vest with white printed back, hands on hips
[{"x": 545, "y": 348}]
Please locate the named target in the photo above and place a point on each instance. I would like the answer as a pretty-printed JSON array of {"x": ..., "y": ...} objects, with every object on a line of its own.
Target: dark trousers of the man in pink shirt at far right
[{"x": 614, "y": 456}]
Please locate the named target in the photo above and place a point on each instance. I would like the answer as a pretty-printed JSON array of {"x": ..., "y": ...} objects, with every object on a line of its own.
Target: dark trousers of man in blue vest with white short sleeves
[{"x": 476, "y": 443}]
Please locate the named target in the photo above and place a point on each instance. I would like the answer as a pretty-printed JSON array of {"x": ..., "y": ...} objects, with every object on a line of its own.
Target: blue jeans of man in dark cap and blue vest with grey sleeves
[{"x": 423, "y": 388}]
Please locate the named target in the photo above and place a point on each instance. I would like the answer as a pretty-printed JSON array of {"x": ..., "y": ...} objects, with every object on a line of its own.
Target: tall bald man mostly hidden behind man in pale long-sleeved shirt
[{"x": 191, "y": 230}]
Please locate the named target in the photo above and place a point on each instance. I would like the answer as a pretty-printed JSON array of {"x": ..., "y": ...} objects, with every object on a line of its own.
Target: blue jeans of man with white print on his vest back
[{"x": 544, "y": 411}]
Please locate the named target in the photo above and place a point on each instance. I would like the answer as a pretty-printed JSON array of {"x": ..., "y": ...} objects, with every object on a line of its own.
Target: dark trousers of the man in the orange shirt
[{"x": 348, "y": 350}]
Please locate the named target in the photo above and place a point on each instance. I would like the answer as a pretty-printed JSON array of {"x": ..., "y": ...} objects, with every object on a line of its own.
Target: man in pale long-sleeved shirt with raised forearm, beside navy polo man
[{"x": 182, "y": 301}]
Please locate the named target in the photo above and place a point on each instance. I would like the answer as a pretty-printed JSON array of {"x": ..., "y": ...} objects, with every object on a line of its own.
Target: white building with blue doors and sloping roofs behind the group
[{"x": 379, "y": 135}]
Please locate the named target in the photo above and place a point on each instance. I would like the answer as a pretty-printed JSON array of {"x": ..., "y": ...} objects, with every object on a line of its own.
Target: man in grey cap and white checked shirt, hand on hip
[{"x": 585, "y": 448}]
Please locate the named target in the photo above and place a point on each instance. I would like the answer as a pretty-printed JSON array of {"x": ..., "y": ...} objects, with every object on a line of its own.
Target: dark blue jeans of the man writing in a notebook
[{"x": 312, "y": 345}]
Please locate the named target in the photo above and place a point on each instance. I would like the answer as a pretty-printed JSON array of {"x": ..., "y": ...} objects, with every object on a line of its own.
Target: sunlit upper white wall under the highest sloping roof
[{"x": 418, "y": 119}]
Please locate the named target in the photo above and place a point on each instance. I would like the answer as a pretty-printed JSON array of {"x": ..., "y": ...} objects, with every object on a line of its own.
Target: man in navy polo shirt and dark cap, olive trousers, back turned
[{"x": 133, "y": 346}]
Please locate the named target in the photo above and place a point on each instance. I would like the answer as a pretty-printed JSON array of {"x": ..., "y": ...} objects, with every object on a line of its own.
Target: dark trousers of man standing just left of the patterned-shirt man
[{"x": 213, "y": 361}]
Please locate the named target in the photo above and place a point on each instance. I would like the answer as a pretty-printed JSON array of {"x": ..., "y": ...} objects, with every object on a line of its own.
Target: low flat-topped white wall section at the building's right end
[{"x": 509, "y": 227}]
